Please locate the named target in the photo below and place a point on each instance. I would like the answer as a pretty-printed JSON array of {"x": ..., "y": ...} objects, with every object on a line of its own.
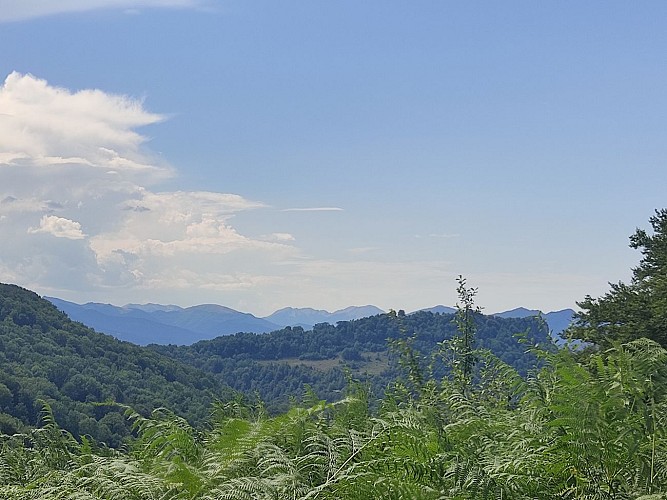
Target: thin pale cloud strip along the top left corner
[{"x": 14, "y": 10}]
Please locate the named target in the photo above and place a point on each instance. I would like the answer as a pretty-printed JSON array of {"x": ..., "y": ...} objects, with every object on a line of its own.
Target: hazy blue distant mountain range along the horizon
[{"x": 144, "y": 324}]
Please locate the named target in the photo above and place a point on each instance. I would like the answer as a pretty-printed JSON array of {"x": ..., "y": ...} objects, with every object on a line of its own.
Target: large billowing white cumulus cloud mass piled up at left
[{"x": 75, "y": 160}]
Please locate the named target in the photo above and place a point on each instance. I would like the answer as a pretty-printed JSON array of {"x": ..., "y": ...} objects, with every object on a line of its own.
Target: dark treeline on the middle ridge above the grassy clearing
[{"x": 366, "y": 335}]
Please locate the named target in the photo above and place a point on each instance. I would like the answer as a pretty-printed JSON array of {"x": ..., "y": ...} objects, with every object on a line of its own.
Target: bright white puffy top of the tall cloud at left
[{"x": 50, "y": 126}]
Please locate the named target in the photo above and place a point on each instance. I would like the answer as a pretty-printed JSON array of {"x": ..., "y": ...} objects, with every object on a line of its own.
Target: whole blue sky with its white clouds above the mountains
[{"x": 260, "y": 154}]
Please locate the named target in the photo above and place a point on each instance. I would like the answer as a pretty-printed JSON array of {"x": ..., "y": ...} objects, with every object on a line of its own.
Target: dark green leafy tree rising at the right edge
[{"x": 634, "y": 310}]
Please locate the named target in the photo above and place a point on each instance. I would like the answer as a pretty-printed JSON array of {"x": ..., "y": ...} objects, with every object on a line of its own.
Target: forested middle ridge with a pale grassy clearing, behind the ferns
[{"x": 278, "y": 364}]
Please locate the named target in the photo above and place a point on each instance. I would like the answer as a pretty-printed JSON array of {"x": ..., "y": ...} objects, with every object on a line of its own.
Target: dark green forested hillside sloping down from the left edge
[{"x": 46, "y": 357}]
